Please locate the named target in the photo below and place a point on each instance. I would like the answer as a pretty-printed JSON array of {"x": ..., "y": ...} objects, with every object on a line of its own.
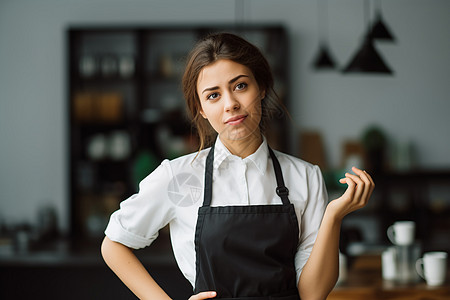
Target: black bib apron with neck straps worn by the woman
[{"x": 246, "y": 252}]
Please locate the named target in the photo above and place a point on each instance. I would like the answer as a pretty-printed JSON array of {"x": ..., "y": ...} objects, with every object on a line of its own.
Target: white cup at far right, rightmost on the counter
[{"x": 432, "y": 267}]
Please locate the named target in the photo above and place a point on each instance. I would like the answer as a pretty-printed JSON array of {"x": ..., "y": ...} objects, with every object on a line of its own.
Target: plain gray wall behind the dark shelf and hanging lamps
[{"x": 412, "y": 105}]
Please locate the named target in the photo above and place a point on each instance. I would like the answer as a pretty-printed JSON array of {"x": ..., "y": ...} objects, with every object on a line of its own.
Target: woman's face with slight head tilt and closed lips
[{"x": 230, "y": 99}]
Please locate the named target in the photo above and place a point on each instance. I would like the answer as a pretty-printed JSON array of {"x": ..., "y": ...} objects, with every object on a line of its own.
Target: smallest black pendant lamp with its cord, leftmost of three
[{"x": 323, "y": 60}]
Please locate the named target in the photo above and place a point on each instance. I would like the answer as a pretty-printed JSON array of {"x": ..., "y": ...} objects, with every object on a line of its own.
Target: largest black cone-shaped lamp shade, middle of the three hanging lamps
[{"x": 367, "y": 60}]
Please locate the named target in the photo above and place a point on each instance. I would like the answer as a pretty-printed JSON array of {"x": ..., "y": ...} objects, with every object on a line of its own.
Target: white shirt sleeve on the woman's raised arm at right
[{"x": 311, "y": 217}]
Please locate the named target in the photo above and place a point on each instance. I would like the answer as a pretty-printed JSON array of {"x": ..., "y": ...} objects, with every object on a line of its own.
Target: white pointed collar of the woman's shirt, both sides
[{"x": 259, "y": 157}]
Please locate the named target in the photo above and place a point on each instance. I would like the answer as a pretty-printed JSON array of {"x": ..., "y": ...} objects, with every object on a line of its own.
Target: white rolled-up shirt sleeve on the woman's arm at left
[{"x": 138, "y": 220}]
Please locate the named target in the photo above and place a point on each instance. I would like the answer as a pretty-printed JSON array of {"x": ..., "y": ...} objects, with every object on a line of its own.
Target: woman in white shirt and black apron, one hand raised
[{"x": 263, "y": 228}]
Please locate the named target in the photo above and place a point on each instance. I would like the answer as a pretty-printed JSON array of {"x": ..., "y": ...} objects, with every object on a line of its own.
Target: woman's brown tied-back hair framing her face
[{"x": 232, "y": 47}]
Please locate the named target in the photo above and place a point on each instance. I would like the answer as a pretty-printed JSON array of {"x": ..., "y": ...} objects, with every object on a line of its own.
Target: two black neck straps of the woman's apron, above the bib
[{"x": 282, "y": 190}]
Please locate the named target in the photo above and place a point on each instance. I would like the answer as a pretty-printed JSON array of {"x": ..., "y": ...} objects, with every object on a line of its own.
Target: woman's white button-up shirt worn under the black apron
[{"x": 173, "y": 193}]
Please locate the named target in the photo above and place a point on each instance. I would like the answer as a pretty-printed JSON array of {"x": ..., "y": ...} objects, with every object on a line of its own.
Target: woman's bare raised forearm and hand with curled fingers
[{"x": 321, "y": 271}]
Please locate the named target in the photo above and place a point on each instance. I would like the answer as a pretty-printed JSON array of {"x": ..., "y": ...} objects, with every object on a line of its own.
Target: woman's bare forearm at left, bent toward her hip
[{"x": 130, "y": 270}]
